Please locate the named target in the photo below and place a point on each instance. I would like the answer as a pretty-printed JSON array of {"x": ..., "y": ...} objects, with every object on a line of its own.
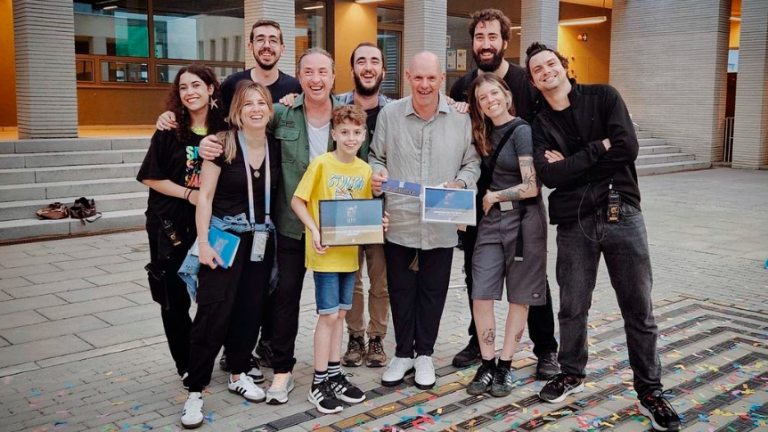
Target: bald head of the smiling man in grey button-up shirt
[{"x": 425, "y": 75}]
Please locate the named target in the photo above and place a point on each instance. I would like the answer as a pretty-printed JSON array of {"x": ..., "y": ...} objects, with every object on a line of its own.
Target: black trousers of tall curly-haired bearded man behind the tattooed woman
[{"x": 541, "y": 319}]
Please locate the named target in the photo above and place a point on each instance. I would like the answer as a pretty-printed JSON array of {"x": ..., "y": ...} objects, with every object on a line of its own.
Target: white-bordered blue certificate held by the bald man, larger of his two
[{"x": 455, "y": 206}]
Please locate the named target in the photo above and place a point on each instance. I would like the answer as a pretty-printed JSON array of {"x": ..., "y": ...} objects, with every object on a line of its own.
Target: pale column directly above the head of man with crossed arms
[{"x": 539, "y": 20}]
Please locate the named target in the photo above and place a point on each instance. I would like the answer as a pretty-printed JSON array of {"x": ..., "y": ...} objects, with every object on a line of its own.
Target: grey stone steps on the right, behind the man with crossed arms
[{"x": 656, "y": 157}]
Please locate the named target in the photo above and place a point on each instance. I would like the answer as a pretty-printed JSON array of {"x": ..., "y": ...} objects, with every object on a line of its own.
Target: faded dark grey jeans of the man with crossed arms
[{"x": 624, "y": 245}]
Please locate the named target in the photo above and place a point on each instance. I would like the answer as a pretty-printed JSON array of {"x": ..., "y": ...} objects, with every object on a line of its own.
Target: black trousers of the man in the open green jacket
[{"x": 285, "y": 302}]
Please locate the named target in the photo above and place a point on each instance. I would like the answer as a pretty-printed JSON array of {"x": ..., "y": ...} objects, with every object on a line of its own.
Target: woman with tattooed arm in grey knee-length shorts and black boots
[{"x": 511, "y": 242}]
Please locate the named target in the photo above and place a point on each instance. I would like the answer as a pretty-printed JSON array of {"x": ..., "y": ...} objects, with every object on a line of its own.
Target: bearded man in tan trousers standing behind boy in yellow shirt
[{"x": 368, "y": 69}]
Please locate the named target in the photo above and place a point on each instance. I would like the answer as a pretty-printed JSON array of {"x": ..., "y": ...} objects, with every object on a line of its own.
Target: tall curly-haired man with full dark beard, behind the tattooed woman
[{"x": 490, "y": 31}]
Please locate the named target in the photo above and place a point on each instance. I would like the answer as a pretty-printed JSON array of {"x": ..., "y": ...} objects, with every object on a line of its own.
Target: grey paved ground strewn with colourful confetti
[{"x": 82, "y": 346}]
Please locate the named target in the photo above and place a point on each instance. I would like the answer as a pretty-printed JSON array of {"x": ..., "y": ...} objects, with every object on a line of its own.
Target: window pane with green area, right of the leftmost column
[{"x": 111, "y": 27}]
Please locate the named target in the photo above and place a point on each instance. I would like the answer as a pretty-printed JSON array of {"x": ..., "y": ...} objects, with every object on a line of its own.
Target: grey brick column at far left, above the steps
[{"x": 46, "y": 87}]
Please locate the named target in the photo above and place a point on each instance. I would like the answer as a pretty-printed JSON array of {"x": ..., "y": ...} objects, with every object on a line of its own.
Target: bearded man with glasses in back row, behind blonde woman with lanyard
[{"x": 266, "y": 44}]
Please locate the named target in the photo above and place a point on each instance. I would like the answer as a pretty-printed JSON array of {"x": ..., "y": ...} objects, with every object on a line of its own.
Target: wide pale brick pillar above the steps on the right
[{"x": 669, "y": 61}]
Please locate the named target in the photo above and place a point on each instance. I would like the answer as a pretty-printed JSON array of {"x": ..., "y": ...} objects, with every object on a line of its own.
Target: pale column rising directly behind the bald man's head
[{"x": 426, "y": 29}]
